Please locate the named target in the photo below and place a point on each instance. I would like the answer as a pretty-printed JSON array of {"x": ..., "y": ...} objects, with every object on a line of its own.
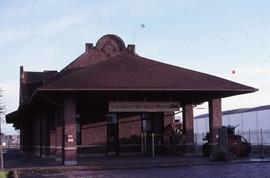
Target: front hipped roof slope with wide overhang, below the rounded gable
[{"x": 132, "y": 72}]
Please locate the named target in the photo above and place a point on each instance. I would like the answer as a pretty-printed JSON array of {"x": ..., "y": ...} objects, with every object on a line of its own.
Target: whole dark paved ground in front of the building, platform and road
[{"x": 137, "y": 166}]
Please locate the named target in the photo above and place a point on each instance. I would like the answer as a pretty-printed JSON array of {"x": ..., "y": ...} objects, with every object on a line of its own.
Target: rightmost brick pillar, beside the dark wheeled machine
[{"x": 215, "y": 122}]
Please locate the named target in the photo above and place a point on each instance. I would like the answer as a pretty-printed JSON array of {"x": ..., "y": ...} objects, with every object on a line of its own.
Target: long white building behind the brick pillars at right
[{"x": 253, "y": 123}]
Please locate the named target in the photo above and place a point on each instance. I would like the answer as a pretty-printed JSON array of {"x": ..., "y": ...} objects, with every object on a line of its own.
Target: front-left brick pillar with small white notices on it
[{"x": 70, "y": 149}]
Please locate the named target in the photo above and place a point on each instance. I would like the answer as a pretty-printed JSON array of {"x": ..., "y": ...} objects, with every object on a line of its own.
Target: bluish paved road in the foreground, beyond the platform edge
[{"x": 239, "y": 170}]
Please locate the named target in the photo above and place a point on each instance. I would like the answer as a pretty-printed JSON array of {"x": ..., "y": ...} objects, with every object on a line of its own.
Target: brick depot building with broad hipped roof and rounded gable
[{"x": 102, "y": 102}]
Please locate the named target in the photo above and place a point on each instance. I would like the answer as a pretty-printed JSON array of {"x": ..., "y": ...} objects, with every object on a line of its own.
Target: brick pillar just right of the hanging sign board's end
[{"x": 188, "y": 128}]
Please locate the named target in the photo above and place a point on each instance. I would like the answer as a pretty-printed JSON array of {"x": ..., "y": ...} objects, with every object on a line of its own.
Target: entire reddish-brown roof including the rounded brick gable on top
[{"x": 110, "y": 65}]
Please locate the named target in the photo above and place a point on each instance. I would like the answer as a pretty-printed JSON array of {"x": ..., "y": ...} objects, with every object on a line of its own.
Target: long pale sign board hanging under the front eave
[{"x": 118, "y": 106}]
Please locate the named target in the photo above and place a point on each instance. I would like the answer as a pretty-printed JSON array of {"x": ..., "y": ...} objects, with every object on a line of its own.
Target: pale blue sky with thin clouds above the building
[{"x": 211, "y": 36}]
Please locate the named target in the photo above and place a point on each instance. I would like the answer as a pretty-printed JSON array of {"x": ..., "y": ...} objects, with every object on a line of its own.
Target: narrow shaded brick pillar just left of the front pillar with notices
[{"x": 58, "y": 135}]
